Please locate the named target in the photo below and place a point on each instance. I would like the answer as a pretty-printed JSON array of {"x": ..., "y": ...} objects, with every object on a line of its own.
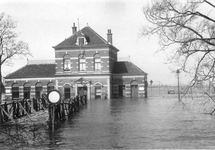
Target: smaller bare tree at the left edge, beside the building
[{"x": 10, "y": 48}]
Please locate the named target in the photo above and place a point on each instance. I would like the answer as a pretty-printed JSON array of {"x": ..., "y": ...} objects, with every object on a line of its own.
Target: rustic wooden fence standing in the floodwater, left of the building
[{"x": 10, "y": 111}]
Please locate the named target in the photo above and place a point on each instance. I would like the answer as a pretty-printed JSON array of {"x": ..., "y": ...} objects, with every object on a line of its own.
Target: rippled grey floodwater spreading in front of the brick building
[{"x": 154, "y": 123}]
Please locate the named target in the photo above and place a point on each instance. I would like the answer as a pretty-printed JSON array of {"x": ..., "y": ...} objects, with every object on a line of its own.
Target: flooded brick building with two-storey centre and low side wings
[{"x": 85, "y": 63}]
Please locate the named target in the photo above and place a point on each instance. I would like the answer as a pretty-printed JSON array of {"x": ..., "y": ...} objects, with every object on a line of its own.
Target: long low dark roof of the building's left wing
[{"x": 33, "y": 71}]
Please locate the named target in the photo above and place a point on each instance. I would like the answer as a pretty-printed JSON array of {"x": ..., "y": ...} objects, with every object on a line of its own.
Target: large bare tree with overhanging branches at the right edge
[{"x": 186, "y": 30}]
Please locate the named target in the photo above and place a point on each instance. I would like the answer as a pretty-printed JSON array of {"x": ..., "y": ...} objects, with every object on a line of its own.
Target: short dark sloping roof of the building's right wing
[{"x": 127, "y": 68}]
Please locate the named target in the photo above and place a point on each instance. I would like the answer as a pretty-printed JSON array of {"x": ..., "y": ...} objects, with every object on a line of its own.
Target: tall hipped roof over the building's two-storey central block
[{"x": 93, "y": 39}]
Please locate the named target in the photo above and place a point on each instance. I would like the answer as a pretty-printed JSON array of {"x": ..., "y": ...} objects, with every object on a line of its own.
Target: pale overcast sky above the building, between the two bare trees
[{"x": 43, "y": 24}]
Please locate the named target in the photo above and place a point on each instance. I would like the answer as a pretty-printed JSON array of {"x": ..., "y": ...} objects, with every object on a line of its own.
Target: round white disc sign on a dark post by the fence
[{"x": 54, "y": 97}]
